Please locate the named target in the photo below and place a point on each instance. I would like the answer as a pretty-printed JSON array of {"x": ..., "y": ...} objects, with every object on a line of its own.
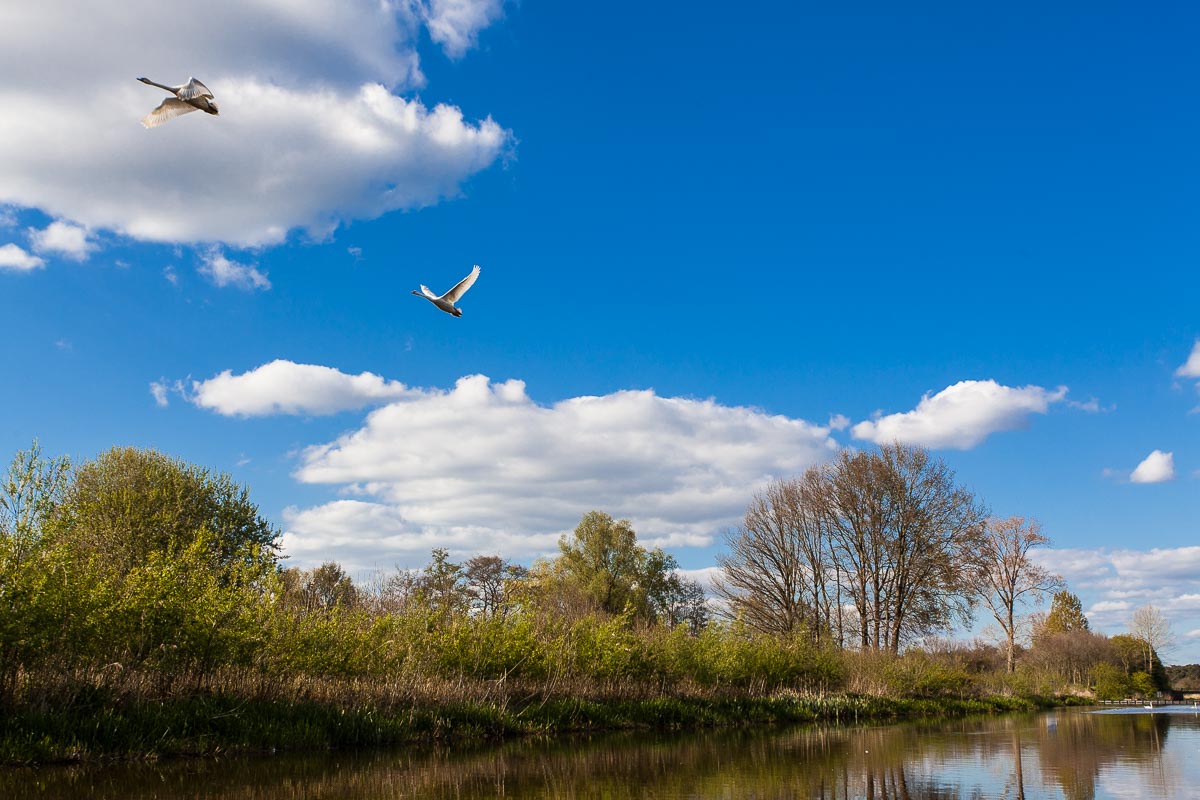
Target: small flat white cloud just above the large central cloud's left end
[{"x": 289, "y": 388}]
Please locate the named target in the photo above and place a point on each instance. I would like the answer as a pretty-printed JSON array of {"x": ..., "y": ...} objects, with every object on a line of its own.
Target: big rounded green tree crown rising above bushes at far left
[{"x": 129, "y": 503}]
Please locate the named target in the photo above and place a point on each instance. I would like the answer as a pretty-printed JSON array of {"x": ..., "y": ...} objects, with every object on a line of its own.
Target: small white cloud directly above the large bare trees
[{"x": 961, "y": 417}]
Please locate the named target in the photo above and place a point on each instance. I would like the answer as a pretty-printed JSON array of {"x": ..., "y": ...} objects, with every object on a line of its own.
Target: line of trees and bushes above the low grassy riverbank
[{"x": 140, "y": 564}]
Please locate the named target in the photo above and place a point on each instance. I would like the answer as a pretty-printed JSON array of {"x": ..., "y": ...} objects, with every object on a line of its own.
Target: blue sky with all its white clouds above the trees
[{"x": 717, "y": 244}]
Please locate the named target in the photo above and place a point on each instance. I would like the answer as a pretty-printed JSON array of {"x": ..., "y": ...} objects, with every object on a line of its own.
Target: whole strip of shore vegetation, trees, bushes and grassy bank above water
[{"x": 146, "y": 611}]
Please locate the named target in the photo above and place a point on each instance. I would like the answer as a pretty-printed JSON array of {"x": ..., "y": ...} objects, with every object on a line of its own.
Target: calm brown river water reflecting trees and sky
[{"x": 1061, "y": 755}]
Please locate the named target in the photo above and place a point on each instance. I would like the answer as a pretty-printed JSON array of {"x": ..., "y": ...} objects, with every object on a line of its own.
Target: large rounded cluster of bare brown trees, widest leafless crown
[{"x": 889, "y": 533}]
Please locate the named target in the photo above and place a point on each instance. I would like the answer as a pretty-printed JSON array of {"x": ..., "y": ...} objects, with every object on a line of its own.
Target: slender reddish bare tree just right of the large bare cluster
[{"x": 1007, "y": 574}]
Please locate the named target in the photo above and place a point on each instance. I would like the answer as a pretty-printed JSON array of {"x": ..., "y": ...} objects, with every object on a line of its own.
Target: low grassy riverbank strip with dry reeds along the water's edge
[{"x": 104, "y": 725}]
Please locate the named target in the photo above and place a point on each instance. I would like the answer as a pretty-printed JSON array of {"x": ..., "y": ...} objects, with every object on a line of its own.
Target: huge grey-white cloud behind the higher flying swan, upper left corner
[{"x": 309, "y": 136}]
